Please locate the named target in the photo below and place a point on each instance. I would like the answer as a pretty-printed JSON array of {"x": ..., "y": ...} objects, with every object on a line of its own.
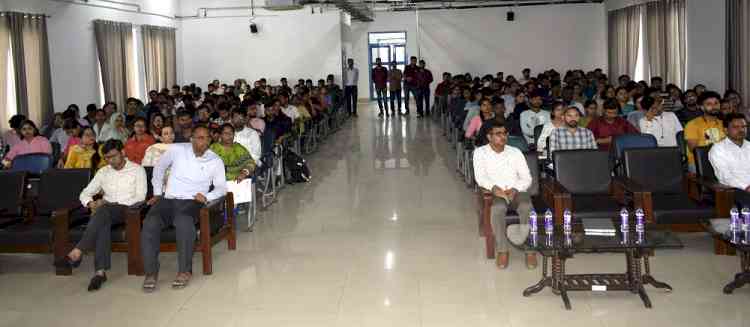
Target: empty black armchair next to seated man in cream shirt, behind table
[{"x": 581, "y": 183}]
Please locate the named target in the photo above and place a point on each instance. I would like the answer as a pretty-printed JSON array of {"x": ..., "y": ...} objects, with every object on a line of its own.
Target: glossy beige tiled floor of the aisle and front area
[{"x": 385, "y": 235}]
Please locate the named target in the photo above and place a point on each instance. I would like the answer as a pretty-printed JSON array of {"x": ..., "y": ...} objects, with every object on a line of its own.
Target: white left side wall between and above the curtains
[{"x": 71, "y": 42}]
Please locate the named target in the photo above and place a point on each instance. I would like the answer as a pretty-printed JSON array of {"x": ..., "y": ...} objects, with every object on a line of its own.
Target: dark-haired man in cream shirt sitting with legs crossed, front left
[{"x": 123, "y": 184}]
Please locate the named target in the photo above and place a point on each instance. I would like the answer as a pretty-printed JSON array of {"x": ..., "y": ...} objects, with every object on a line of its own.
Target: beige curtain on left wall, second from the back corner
[{"x": 114, "y": 45}]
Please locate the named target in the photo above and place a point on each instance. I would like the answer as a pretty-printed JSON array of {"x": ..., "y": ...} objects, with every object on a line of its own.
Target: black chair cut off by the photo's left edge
[{"x": 11, "y": 203}]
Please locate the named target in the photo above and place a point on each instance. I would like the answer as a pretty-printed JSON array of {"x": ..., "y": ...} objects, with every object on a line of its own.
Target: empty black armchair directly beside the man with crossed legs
[{"x": 50, "y": 216}]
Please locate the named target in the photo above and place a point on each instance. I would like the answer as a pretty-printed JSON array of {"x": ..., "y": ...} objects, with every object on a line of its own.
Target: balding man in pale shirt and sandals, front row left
[{"x": 193, "y": 169}]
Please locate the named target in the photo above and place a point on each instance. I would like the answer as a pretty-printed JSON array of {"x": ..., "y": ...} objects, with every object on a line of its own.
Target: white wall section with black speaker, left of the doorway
[{"x": 293, "y": 44}]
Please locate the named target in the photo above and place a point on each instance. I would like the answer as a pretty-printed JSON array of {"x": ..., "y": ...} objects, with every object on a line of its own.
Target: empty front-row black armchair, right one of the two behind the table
[{"x": 665, "y": 201}]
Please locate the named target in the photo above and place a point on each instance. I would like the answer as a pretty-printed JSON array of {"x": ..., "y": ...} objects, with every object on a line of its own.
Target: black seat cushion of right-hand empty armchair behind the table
[{"x": 679, "y": 209}]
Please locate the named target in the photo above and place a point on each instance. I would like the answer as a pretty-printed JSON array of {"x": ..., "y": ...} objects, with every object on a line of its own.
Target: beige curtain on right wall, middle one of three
[{"x": 665, "y": 39}]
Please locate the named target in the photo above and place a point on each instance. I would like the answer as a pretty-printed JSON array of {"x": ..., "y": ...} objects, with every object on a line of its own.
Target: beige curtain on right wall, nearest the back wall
[{"x": 624, "y": 29}]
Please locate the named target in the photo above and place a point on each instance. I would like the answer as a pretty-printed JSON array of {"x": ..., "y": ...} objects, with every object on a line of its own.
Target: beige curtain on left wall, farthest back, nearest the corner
[{"x": 159, "y": 56}]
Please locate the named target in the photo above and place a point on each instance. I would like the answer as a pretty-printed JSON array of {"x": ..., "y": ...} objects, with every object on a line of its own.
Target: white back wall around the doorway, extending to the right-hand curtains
[{"x": 482, "y": 41}]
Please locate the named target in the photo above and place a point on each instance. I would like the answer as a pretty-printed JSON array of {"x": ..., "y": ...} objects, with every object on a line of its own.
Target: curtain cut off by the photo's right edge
[{"x": 738, "y": 47}]
